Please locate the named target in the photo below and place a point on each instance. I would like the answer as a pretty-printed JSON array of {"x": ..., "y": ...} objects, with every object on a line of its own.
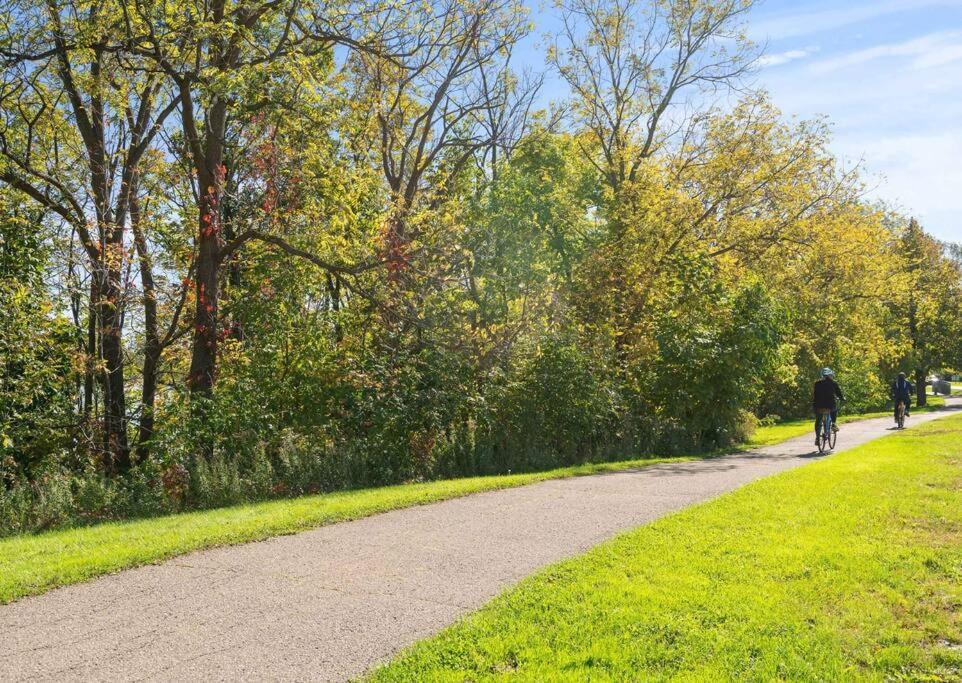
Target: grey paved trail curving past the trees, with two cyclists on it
[{"x": 330, "y": 603}]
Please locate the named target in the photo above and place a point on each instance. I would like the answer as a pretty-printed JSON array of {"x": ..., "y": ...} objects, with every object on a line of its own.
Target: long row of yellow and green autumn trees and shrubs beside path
[{"x": 252, "y": 248}]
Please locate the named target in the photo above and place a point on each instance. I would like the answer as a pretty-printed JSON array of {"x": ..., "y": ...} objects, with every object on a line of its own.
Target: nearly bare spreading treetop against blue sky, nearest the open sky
[{"x": 636, "y": 70}]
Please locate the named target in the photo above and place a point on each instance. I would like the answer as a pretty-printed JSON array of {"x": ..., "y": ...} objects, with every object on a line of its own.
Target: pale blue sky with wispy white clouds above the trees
[{"x": 888, "y": 76}]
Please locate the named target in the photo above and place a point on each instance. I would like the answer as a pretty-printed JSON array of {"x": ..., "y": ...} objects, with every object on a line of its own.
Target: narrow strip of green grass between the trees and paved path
[{"x": 34, "y": 563}]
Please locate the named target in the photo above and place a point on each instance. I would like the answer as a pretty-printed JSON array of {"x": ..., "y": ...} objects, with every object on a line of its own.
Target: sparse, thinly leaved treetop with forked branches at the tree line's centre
[{"x": 448, "y": 96}]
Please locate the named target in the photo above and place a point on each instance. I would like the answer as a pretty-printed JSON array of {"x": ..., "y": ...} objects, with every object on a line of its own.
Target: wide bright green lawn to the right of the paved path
[{"x": 849, "y": 569}]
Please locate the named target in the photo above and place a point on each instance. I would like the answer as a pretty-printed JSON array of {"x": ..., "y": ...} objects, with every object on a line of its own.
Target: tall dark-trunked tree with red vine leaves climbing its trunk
[{"x": 226, "y": 61}]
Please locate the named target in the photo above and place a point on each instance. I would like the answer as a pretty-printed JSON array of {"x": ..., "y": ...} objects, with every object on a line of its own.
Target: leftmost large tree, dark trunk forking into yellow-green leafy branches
[{"x": 79, "y": 118}]
